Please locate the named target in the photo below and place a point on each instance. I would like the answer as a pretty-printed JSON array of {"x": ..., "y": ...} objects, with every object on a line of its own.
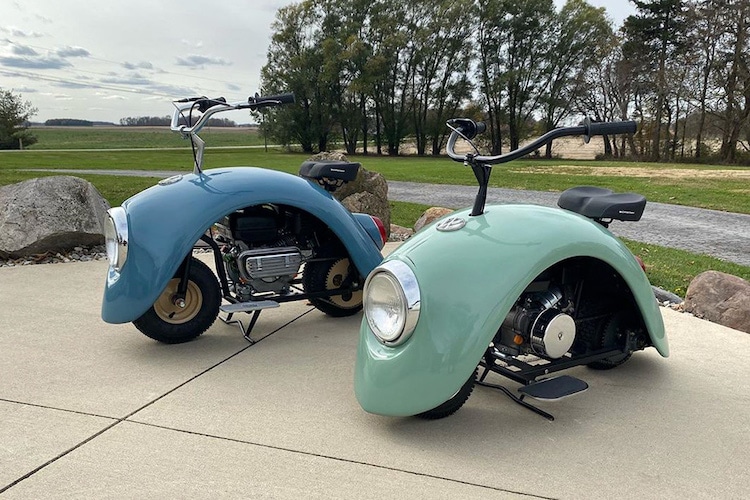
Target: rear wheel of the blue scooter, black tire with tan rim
[{"x": 329, "y": 275}]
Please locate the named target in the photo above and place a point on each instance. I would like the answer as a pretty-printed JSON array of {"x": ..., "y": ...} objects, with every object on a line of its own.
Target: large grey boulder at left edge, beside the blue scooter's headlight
[{"x": 50, "y": 214}]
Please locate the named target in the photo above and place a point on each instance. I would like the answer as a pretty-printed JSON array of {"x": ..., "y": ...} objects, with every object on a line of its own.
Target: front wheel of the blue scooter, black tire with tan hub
[{"x": 170, "y": 324}]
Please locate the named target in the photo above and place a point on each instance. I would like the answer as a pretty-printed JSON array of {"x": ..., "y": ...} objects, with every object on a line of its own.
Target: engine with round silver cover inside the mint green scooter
[{"x": 539, "y": 324}]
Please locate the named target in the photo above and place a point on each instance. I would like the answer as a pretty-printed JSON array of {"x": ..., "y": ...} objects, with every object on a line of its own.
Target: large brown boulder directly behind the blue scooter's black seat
[{"x": 368, "y": 193}]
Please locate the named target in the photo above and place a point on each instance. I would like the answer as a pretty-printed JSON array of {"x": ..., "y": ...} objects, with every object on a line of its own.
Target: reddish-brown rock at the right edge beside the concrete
[{"x": 720, "y": 298}]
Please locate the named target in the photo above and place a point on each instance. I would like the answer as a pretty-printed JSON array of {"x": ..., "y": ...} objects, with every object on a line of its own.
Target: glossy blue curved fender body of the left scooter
[{"x": 165, "y": 221}]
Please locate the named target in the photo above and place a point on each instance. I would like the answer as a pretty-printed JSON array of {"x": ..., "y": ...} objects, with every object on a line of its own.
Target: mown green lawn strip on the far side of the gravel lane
[{"x": 659, "y": 184}]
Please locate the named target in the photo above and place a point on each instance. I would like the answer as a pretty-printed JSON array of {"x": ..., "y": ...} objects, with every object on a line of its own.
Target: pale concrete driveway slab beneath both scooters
[{"x": 92, "y": 410}]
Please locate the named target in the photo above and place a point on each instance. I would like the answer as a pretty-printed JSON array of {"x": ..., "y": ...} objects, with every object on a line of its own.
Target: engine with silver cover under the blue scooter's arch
[{"x": 265, "y": 248}]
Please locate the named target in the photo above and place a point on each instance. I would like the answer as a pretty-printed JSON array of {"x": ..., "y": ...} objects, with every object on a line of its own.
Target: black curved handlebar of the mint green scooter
[{"x": 468, "y": 129}]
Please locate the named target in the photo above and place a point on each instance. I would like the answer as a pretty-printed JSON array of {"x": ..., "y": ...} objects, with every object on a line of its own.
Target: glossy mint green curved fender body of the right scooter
[{"x": 469, "y": 280}]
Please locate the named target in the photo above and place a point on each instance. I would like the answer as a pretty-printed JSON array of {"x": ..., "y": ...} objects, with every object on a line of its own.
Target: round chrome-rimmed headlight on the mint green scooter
[{"x": 392, "y": 302}]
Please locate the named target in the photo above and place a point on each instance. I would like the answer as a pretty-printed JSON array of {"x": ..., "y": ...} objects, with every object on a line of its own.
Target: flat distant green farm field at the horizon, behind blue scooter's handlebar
[{"x": 137, "y": 137}]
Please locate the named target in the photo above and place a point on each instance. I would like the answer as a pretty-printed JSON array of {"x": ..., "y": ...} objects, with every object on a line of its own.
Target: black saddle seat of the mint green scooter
[{"x": 599, "y": 203}]
